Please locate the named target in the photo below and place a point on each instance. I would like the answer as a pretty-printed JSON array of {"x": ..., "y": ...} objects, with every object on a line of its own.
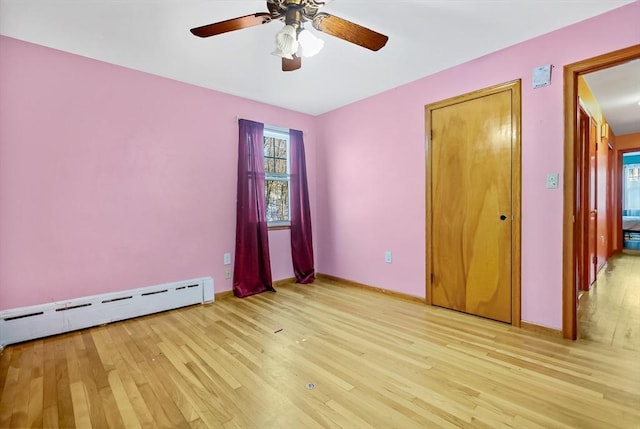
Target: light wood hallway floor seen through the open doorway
[{"x": 610, "y": 312}]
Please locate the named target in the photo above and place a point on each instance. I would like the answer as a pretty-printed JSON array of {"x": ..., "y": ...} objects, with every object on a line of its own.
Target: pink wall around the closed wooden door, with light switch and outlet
[{"x": 371, "y": 159}]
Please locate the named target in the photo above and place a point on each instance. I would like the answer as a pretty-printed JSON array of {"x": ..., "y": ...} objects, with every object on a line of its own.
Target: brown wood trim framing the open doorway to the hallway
[{"x": 571, "y": 172}]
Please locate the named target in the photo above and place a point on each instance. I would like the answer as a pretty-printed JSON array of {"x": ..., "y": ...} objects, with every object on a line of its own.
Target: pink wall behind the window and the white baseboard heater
[{"x": 113, "y": 179}]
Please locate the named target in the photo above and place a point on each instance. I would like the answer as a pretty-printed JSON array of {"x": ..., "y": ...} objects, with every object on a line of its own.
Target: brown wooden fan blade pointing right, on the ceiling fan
[{"x": 349, "y": 31}]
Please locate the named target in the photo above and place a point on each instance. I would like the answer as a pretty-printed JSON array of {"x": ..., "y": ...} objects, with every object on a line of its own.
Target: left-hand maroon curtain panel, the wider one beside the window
[{"x": 252, "y": 270}]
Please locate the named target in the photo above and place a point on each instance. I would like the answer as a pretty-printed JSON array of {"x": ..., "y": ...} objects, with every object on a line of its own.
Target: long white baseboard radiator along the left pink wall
[{"x": 37, "y": 321}]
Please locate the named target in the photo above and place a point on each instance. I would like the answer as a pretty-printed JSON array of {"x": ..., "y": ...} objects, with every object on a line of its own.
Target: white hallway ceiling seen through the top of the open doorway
[{"x": 617, "y": 90}]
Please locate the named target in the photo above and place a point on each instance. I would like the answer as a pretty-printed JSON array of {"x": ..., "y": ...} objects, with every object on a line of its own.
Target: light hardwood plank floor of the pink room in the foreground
[{"x": 375, "y": 361}]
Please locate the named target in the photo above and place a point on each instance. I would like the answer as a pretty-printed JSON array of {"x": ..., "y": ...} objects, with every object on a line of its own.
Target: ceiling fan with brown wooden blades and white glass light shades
[{"x": 293, "y": 38}]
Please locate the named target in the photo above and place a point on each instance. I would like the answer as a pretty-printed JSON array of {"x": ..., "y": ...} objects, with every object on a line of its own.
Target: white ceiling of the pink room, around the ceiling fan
[{"x": 425, "y": 36}]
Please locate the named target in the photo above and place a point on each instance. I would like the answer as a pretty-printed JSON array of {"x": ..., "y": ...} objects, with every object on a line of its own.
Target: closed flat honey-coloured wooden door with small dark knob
[{"x": 471, "y": 207}]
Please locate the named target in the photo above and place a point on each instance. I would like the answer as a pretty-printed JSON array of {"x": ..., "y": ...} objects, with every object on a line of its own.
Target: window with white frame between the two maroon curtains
[{"x": 276, "y": 168}]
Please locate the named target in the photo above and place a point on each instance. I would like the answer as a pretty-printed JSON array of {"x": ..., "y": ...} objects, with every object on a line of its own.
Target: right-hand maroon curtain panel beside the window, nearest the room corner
[{"x": 301, "y": 242}]
